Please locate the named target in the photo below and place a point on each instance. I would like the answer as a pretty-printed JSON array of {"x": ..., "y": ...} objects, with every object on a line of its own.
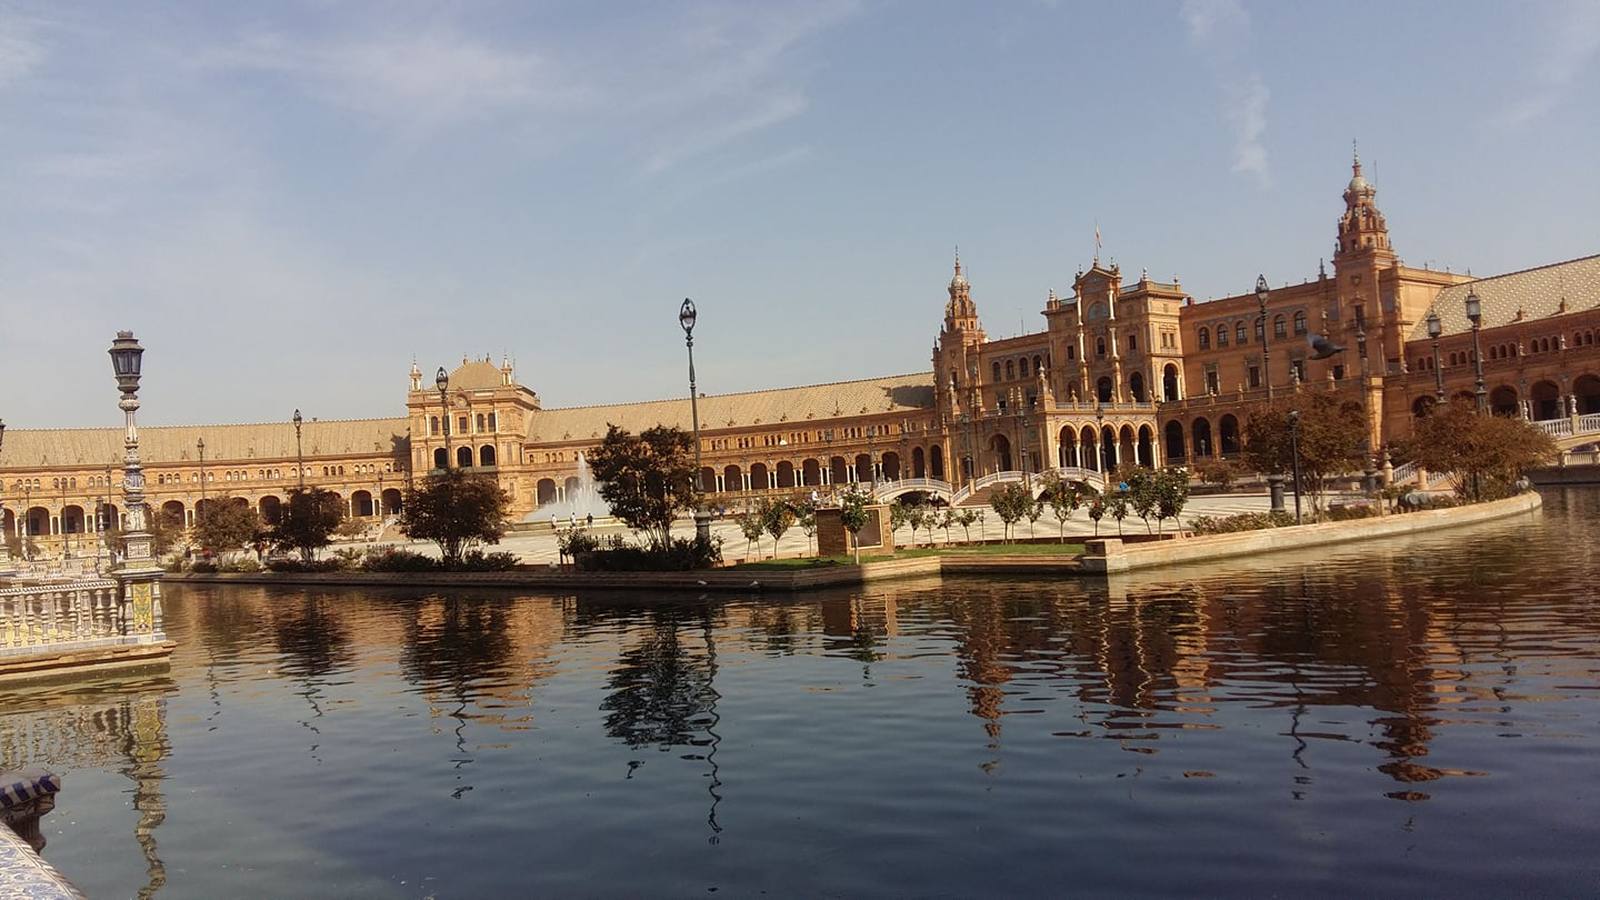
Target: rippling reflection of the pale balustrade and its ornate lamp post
[{"x": 113, "y": 726}]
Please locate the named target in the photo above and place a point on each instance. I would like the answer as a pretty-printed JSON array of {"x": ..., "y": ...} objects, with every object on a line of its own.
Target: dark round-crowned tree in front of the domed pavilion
[{"x": 458, "y": 512}]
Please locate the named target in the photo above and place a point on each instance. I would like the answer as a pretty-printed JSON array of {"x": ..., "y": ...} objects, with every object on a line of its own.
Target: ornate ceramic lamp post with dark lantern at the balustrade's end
[{"x": 140, "y": 576}]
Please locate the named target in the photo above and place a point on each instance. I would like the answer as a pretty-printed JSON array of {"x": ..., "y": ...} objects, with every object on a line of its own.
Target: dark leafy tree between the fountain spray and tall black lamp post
[{"x": 647, "y": 478}]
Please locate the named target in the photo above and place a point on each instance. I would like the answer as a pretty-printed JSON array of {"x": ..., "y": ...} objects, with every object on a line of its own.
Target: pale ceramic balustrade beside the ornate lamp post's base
[{"x": 60, "y": 617}]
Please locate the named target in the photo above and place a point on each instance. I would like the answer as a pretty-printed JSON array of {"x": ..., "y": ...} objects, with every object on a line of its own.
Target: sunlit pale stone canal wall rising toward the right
[{"x": 1108, "y": 556}]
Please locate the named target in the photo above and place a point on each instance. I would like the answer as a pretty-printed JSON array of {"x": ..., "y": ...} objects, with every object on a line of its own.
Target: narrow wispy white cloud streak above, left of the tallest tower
[{"x": 1218, "y": 30}]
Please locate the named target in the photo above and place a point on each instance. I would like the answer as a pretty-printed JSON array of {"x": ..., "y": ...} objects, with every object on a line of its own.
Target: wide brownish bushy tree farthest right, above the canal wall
[{"x": 1486, "y": 454}]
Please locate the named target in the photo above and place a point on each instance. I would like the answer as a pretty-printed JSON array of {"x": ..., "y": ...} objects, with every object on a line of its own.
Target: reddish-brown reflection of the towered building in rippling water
[{"x": 1148, "y": 657}]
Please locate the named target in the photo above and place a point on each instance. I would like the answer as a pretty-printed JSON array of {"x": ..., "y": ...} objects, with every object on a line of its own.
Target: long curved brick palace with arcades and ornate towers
[{"x": 1121, "y": 372}]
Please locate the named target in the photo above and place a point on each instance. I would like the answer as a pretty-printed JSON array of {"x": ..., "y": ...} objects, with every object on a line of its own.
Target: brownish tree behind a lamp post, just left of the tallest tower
[{"x": 1332, "y": 440}]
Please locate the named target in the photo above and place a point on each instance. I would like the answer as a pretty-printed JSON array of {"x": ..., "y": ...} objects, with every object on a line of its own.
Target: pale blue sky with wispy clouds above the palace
[{"x": 289, "y": 203}]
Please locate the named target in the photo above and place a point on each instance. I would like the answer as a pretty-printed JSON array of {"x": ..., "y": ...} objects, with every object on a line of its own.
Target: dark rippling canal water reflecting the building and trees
[{"x": 1417, "y": 718}]
